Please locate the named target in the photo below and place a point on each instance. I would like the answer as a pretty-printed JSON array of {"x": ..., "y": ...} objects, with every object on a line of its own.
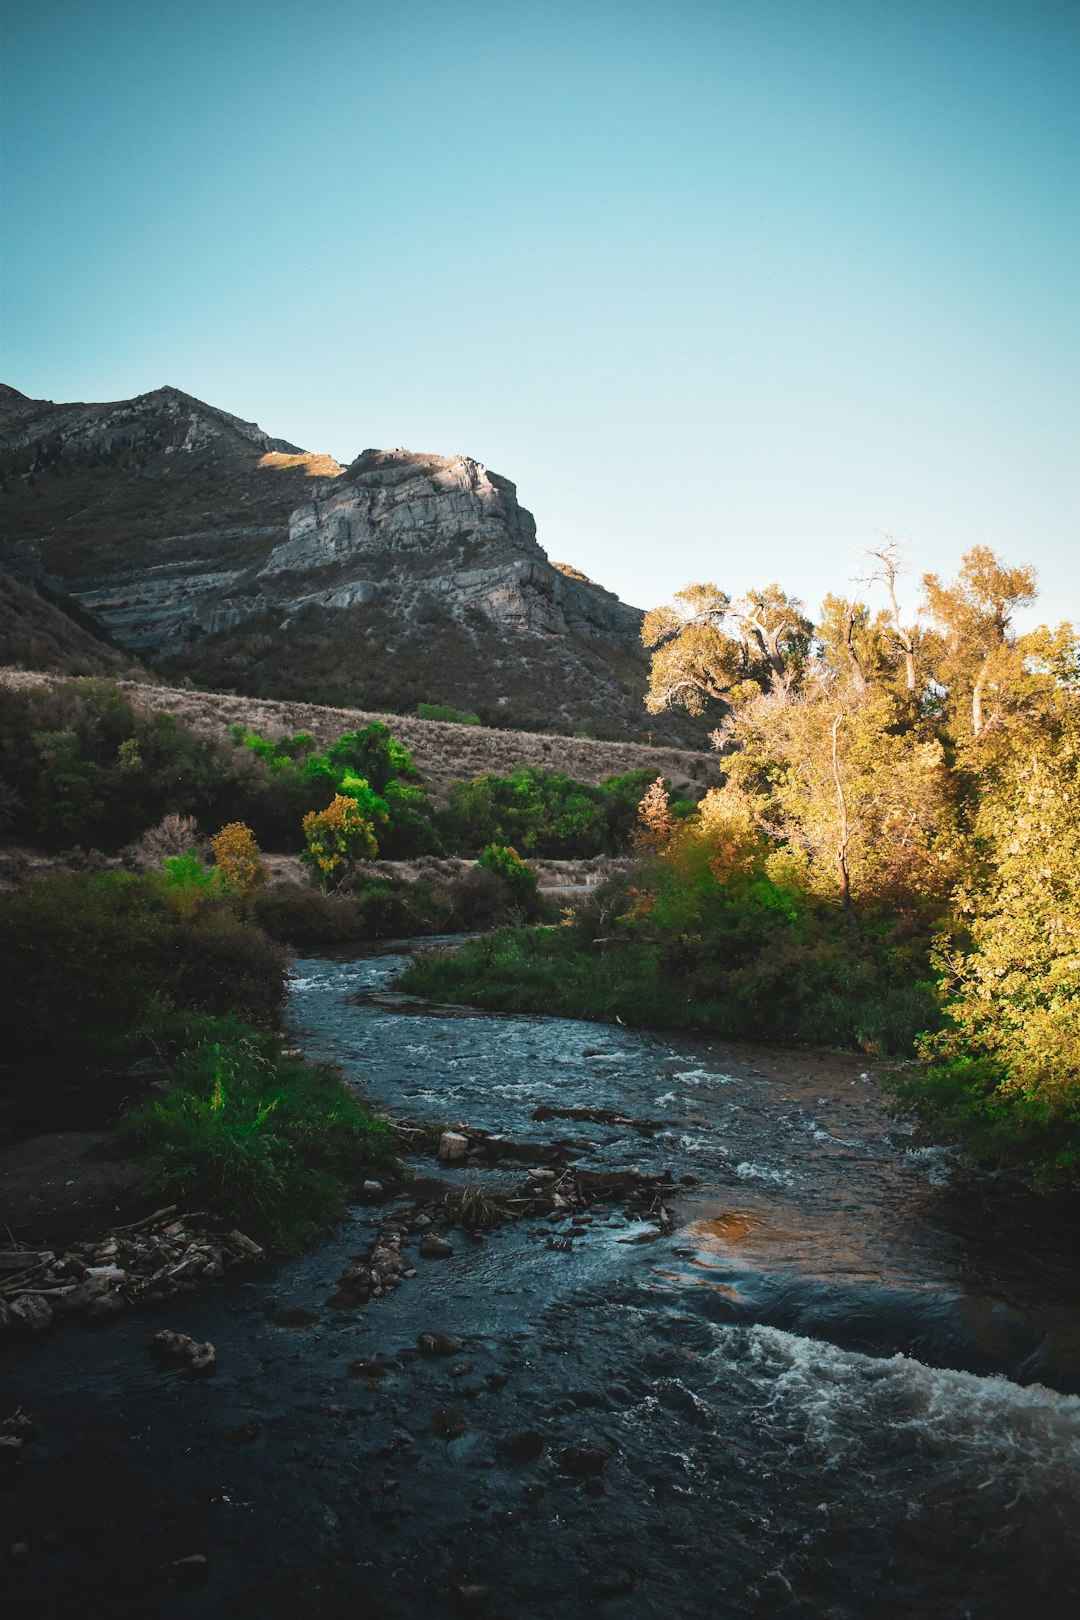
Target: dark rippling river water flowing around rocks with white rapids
[{"x": 844, "y": 1383}]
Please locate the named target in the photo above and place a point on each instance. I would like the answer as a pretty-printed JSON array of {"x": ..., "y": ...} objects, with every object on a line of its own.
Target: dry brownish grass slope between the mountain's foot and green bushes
[{"x": 443, "y": 752}]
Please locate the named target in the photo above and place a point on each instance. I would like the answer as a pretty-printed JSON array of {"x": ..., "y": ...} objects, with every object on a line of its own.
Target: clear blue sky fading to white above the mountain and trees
[{"x": 725, "y": 289}]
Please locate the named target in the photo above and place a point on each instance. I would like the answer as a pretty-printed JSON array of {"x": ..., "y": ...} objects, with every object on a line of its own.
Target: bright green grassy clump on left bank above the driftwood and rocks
[{"x": 274, "y": 1145}]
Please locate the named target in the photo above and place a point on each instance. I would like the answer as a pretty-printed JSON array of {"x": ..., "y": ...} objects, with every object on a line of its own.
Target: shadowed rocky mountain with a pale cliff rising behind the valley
[{"x": 240, "y": 561}]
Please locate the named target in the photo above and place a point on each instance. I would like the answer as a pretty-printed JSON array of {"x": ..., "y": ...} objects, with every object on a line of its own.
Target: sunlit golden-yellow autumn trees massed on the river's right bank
[{"x": 912, "y": 780}]
